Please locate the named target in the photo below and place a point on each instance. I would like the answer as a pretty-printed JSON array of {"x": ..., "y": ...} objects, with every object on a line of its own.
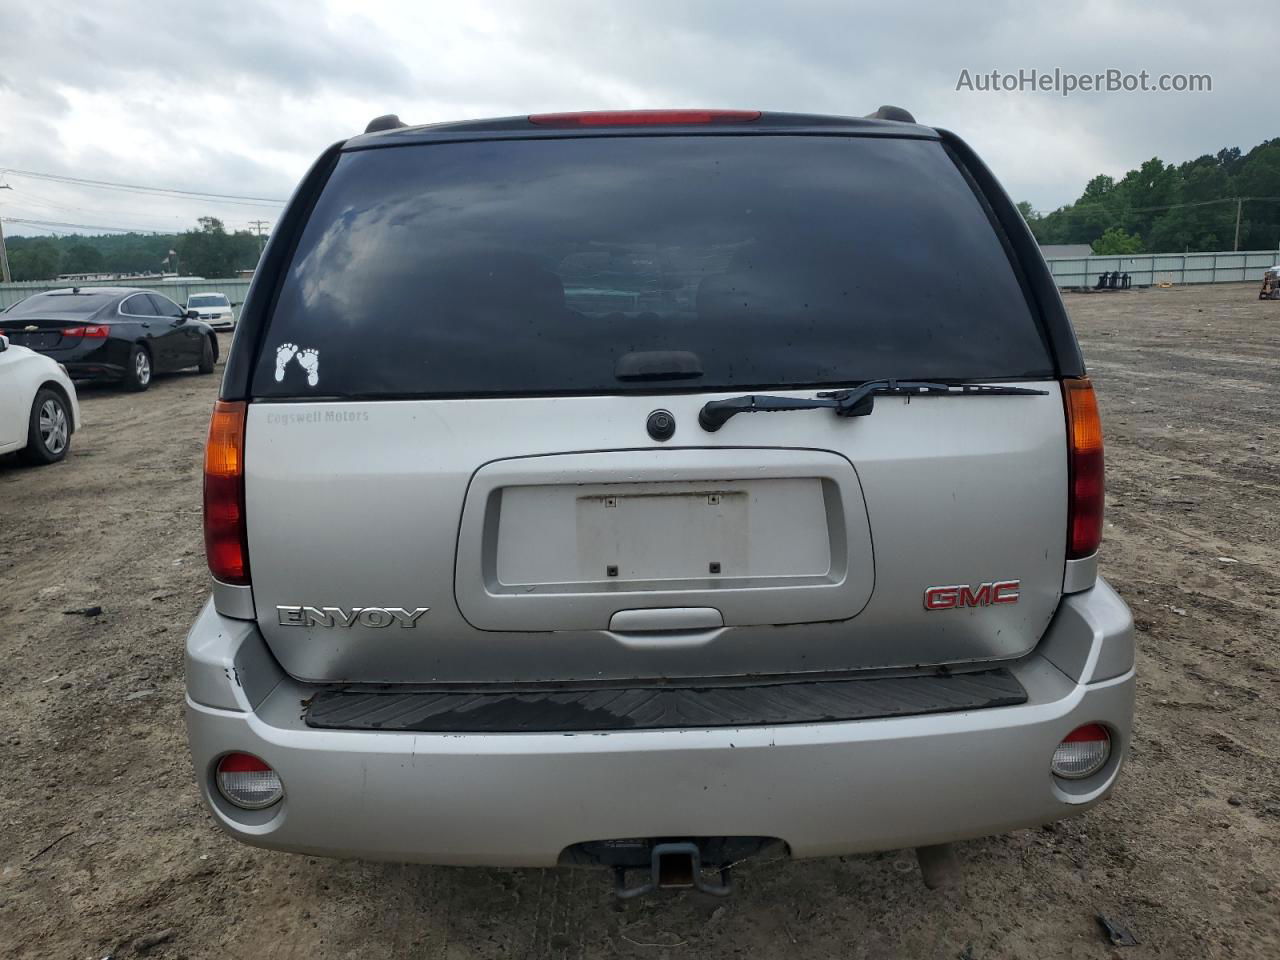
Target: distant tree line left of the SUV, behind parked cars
[{"x": 208, "y": 250}]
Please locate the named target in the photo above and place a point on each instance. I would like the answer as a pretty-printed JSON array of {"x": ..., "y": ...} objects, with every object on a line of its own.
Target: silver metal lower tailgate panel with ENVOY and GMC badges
[{"x": 476, "y": 509}]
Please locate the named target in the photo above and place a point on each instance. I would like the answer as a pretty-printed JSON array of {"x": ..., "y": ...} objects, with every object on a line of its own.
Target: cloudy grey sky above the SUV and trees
[{"x": 239, "y": 98}]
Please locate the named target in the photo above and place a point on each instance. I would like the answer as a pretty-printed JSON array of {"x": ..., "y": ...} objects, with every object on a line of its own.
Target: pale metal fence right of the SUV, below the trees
[{"x": 1150, "y": 269}]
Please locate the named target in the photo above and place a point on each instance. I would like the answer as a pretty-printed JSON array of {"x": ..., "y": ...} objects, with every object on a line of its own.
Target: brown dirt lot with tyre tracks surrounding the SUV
[{"x": 103, "y": 839}]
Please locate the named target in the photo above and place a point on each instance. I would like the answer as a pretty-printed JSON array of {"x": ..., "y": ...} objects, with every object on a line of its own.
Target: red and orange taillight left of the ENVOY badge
[{"x": 226, "y": 541}]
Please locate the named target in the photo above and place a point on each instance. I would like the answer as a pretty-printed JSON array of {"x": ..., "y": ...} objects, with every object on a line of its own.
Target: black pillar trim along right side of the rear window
[{"x": 1028, "y": 259}]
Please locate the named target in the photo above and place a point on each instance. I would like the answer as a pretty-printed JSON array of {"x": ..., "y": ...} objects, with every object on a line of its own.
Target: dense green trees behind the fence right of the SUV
[{"x": 1112, "y": 213}]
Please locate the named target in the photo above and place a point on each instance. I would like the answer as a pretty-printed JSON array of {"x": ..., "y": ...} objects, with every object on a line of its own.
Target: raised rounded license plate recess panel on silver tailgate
[{"x": 764, "y": 537}]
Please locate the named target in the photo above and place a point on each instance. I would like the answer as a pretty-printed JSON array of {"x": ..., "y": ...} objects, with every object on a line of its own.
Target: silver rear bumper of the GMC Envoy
[{"x": 520, "y": 799}]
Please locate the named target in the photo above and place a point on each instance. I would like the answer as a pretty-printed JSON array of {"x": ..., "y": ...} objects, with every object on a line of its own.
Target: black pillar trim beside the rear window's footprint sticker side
[{"x": 260, "y": 301}]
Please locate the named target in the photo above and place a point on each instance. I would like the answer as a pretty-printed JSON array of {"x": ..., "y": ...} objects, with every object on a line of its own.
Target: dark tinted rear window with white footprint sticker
[{"x": 533, "y": 267}]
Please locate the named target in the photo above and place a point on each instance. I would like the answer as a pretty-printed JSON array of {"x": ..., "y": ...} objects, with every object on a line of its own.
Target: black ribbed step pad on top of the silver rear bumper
[{"x": 657, "y": 707}]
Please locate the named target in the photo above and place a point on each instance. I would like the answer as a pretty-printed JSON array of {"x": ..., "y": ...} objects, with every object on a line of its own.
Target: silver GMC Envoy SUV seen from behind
[{"x": 653, "y": 491}]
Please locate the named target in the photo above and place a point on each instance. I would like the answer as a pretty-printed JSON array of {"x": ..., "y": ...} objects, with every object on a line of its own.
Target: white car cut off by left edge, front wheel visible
[{"x": 39, "y": 409}]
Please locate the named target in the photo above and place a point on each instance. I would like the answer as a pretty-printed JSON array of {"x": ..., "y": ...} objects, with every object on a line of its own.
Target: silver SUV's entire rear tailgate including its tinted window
[{"x": 449, "y": 476}]
